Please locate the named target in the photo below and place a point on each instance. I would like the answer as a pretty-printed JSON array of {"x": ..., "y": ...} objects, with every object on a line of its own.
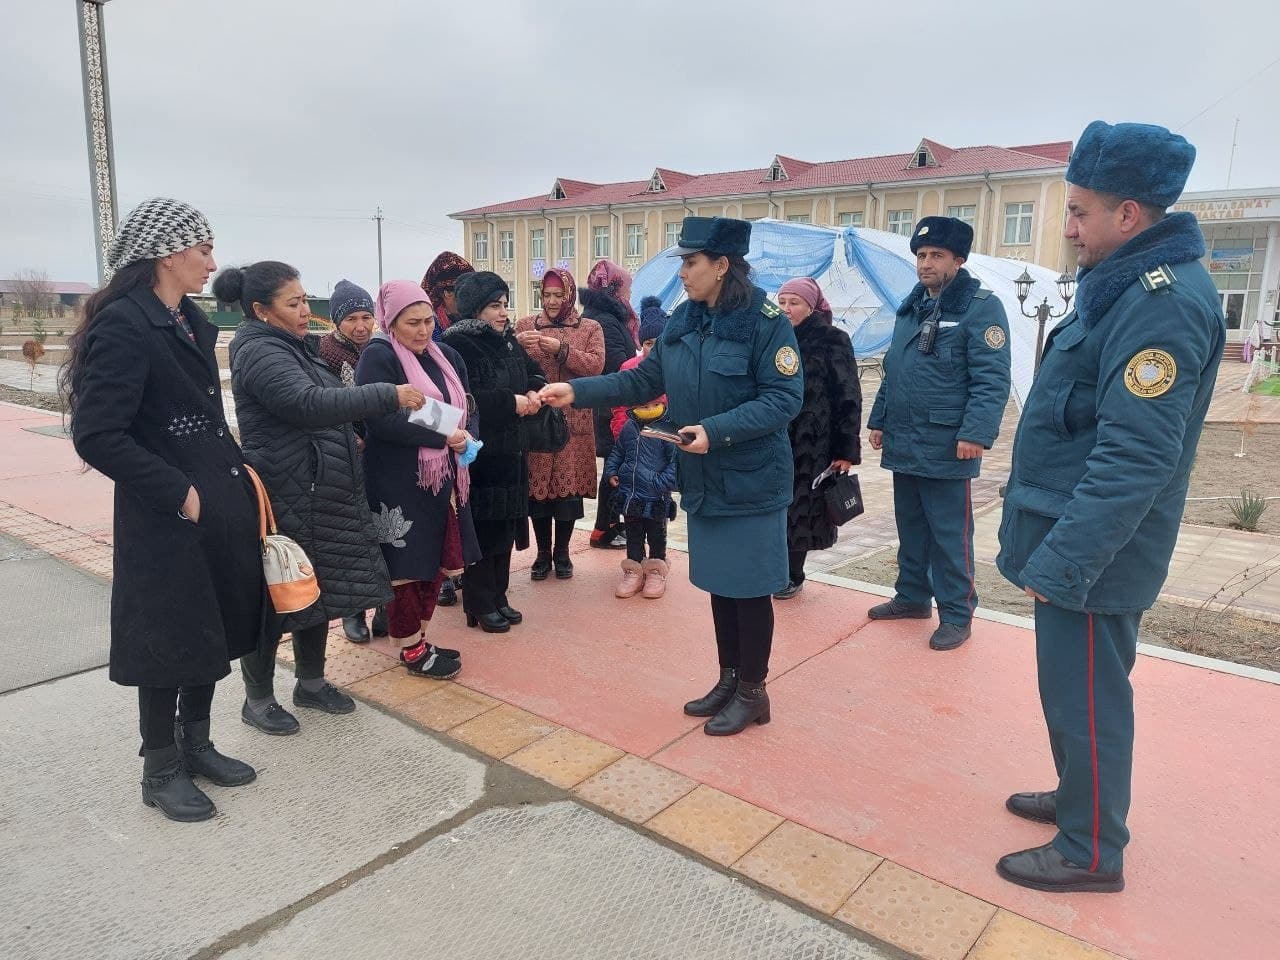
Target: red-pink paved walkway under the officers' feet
[{"x": 876, "y": 740}]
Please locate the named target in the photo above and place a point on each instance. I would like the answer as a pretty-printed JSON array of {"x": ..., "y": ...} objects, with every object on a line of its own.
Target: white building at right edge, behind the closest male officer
[{"x": 1242, "y": 240}]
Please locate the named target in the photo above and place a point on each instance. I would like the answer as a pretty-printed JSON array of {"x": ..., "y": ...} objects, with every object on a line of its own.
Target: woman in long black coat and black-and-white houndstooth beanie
[{"x": 147, "y": 410}]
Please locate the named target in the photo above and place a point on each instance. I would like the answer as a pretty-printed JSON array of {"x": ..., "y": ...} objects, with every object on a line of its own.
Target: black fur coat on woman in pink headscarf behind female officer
[{"x": 826, "y": 428}]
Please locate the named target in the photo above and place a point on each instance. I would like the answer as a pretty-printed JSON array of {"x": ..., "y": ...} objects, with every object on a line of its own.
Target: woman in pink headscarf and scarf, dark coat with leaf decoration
[{"x": 419, "y": 490}]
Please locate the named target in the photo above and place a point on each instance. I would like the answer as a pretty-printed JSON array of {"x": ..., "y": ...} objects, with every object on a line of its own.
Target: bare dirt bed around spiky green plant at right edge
[{"x": 1219, "y": 473}]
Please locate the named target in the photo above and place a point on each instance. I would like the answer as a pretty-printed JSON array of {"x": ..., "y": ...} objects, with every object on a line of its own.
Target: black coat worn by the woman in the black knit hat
[{"x": 499, "y": 369}]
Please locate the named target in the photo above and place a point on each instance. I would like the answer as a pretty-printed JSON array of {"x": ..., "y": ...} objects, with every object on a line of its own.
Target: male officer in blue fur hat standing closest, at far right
[{"x": 1101, "y": 464}]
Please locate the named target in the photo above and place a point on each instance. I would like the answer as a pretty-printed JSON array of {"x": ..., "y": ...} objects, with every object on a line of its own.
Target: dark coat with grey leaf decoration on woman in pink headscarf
[{"x": 410, "y": 520}]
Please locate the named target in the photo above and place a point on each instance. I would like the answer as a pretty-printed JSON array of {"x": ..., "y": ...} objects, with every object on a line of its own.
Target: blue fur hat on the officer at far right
[{"x": 1133, "y": 162}]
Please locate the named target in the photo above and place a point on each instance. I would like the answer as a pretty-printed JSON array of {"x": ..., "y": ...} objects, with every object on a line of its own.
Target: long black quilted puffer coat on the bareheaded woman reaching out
[{"x": 295, "y": 420}]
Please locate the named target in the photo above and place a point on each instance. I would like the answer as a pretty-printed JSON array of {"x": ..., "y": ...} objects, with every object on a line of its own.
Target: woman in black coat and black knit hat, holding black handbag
[{"x": 505, "y": 382}]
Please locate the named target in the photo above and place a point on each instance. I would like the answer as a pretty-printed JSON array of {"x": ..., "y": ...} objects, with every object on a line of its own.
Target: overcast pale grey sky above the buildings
[{"x": 290, "y": 121}]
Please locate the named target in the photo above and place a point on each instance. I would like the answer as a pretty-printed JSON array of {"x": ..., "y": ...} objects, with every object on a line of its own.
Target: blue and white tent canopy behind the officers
[{"x": 865, "y": 275}]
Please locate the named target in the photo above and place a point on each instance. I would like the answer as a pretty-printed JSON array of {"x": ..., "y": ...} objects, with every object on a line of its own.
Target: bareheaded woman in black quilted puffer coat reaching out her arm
[{"x": 296, "y": 427}]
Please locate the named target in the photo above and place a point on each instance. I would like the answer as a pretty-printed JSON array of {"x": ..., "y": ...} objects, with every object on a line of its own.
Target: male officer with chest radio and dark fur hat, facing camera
[{"x": 945, "y": 388}]
